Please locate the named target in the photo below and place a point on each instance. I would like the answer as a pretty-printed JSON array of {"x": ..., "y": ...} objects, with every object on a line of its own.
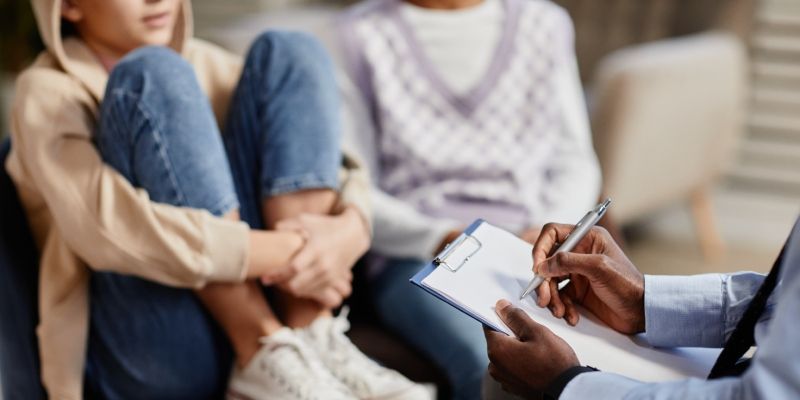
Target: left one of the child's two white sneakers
[{"x": 285, "y": 368}]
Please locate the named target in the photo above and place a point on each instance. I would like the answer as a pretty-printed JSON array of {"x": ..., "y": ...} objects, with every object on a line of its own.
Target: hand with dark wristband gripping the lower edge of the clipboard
[{"x": 528, "y": 364}]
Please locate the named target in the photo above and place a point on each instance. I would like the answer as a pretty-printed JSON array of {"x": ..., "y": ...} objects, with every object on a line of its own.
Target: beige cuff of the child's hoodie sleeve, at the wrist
[{"x": 227, "y": 249}]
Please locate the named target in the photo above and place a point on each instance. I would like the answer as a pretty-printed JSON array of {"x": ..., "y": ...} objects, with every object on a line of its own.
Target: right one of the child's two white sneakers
[{"x": 363, "y": 376}]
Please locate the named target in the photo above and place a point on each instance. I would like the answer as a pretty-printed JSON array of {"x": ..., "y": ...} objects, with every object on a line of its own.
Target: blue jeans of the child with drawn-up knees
[{"x": 157, "y": 129}]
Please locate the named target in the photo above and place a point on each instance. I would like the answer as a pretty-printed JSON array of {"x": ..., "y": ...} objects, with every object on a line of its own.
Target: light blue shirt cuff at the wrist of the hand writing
[{"x": 683, "y": 311}]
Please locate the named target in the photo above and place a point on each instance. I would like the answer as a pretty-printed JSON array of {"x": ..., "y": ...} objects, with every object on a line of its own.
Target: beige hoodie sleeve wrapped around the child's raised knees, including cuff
[{"x": 106, "y": 221}]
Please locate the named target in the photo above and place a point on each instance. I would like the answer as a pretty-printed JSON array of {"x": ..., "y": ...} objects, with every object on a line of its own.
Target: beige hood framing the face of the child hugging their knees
[{"x": 74, "y": 56}]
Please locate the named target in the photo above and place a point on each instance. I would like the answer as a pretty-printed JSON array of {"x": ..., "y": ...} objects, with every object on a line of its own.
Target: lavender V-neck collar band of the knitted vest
[{"x": 468, "y": 102}]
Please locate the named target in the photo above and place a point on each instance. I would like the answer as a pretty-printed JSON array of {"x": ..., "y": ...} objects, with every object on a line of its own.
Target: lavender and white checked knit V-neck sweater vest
[{"x": 481, "y": 154}]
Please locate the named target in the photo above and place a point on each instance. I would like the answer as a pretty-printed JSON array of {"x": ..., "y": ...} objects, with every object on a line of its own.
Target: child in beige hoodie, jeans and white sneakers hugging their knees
[{"x": 133, "y": 194}]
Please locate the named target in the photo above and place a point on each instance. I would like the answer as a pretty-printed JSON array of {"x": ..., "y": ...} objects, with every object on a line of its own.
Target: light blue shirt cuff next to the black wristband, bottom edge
[{"x": 598, "y": 385}]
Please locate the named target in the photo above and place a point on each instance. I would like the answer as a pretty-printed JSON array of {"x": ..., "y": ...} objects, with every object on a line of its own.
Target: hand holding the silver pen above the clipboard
[{"x": 602, "y": 279}]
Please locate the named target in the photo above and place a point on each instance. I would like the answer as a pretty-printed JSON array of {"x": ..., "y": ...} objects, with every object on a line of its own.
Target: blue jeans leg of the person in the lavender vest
[{"x": 454, "y": 341}]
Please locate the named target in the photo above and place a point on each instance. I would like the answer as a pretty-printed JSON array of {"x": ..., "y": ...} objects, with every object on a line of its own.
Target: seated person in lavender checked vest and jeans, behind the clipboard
[{"x": 462, "y": 109}]
